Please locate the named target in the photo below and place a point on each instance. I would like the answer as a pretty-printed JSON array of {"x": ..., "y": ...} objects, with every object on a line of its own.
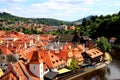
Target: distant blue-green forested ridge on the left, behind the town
[{"x": 48, "y": 21}]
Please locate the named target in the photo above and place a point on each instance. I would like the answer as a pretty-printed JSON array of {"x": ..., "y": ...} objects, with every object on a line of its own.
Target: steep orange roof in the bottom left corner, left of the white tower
[{"x": 18, "y": 71}]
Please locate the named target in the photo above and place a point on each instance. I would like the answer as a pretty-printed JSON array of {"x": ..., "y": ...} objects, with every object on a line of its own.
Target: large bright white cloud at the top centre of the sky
[{"x": 66, "y": 5}]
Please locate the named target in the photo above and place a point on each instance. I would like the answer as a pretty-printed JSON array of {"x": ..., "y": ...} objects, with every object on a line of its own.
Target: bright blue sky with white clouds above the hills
[{"x": 68, "y": 10}]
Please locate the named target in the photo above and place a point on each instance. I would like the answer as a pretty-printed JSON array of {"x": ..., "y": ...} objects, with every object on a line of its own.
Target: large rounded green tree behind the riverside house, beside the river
[{"x": 103, "y": 44}]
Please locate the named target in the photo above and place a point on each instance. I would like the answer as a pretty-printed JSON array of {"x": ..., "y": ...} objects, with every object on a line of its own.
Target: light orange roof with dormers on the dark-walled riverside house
[{"x": 94, "y": 53}]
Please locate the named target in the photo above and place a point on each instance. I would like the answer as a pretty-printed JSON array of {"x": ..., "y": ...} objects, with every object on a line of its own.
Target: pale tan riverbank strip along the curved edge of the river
[{"x": 99, "y": 66}]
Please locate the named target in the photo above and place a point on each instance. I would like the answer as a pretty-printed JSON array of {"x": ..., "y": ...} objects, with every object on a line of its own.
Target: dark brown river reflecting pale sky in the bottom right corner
[{"x": 110, "y": 72}]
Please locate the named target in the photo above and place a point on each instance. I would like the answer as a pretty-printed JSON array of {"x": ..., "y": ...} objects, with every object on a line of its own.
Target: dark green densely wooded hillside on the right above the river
[{"x": 97, "y": 26}]
